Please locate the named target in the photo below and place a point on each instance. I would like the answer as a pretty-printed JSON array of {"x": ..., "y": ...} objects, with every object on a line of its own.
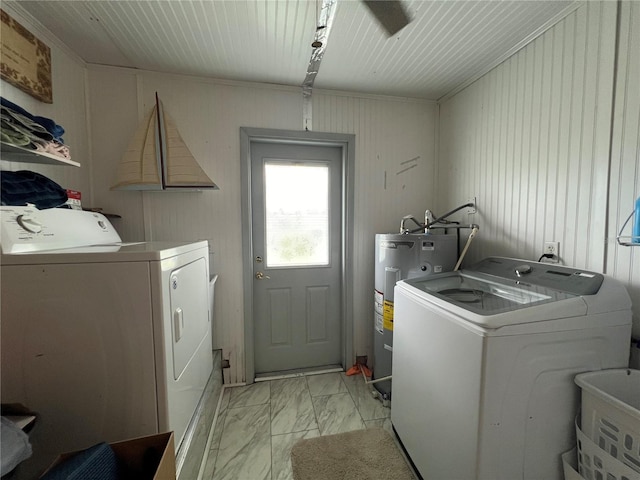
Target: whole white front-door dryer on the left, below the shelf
[{"x": 105, "y": 341}]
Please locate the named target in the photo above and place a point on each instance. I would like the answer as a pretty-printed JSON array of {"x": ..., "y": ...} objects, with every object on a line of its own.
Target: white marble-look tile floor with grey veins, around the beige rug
[{"x": 258, "y": 424}]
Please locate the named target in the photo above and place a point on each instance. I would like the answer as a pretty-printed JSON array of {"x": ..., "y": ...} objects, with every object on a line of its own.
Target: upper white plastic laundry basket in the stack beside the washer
[{"x": 611, "y": 413}]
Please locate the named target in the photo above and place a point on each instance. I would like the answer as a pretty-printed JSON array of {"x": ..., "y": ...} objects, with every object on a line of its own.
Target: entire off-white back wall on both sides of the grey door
[{"x": 209, "y": 115}]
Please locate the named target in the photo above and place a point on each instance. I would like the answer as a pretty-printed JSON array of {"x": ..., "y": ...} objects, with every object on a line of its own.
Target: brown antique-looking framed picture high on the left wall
[{"x": 24, "y": 60}]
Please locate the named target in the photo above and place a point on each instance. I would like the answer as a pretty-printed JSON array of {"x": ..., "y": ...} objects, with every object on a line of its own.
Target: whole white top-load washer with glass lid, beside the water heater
[{"x": 484, "y": 361}]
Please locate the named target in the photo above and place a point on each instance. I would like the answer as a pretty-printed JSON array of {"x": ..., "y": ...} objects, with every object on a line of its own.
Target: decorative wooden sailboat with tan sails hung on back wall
[{"x": 158, "y": 159}]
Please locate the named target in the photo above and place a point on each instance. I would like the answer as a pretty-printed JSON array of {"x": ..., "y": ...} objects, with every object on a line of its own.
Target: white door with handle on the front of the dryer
[{"x": 189, "y": 311}]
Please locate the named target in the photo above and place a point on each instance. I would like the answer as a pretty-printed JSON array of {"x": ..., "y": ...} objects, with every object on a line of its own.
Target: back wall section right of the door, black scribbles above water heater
[{"x": 390, "y": 132}]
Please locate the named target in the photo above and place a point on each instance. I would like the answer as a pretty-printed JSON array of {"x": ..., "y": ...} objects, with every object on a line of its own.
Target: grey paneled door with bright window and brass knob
[{"x": 296, "y": 198}]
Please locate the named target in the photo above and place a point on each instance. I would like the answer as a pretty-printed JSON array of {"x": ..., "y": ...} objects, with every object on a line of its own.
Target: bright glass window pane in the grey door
[{"x": 297, "y": 214}]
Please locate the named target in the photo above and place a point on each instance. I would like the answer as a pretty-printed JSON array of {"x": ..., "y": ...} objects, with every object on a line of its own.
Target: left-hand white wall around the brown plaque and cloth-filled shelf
[{"x": 68, "y": 109}]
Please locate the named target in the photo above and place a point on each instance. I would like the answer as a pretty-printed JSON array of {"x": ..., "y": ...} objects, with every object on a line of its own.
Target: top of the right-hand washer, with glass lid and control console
[{"x": 518, "y": 292}]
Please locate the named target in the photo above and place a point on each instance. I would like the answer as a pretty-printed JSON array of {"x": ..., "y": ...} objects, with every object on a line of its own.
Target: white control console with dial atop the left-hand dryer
[{"x": 27, "y": 229}]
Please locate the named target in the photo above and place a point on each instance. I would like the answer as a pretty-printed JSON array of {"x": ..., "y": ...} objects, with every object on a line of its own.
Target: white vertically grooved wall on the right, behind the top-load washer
[{"x": 531, "y": 140}]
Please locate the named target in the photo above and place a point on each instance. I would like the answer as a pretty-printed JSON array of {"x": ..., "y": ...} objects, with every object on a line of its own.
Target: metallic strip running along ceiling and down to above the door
[{"x": 323, "y": 27}]
